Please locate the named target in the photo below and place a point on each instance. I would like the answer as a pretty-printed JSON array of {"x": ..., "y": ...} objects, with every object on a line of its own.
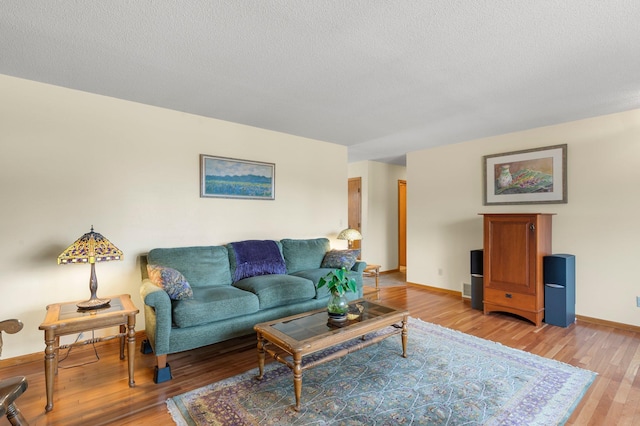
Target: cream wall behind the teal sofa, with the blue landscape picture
[{"x": 70, "y": 160}]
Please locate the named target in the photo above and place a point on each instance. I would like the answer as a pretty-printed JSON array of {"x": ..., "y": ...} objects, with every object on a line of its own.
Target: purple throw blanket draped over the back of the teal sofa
[{"x": 255, "y": 257}]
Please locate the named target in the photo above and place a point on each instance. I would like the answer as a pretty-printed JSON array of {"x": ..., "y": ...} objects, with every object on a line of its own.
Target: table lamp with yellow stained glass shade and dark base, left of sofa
[{"x": 92, "y": 247}]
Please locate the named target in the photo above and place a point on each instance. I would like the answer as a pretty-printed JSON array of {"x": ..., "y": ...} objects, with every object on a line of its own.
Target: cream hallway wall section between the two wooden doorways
[{"x": 379, "y": 211}]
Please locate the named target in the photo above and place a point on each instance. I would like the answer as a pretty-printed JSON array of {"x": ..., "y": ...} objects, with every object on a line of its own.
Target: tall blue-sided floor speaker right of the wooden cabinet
[{"x": 560, "y": 289}]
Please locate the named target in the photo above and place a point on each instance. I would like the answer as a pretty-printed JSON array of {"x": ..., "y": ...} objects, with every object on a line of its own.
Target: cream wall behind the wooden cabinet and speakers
[{"x": 599, "y": 225}]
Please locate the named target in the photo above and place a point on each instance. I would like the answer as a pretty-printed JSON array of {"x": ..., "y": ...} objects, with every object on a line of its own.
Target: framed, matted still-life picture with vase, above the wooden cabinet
[{"x": 532, "y": 176}]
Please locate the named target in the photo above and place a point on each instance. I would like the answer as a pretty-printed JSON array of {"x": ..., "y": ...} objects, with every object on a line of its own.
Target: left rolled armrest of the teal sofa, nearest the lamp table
[{"x": 157, "y": 316}]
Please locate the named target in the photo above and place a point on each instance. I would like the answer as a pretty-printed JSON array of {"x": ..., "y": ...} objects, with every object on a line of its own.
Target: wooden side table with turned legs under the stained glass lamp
[{"x": 65, "y": 318}]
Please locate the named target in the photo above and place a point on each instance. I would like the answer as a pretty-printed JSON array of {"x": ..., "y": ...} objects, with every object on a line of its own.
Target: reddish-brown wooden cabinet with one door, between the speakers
[{"x": 514, "y": 248}]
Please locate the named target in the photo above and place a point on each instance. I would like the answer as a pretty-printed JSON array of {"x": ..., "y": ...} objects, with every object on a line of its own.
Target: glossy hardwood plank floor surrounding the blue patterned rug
[{"x": 98, "y": 393}]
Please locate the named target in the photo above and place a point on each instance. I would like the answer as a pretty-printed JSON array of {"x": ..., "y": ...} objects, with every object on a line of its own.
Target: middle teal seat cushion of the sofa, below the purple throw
[{"x": 278, "y": 290}]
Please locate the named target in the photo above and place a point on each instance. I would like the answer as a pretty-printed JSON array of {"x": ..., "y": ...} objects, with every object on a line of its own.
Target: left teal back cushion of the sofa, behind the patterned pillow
[{"x": 201, "y": 266}]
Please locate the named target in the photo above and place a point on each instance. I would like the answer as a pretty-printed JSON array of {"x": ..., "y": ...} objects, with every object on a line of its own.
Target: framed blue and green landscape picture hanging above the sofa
[{"x": 222, "y": 177}]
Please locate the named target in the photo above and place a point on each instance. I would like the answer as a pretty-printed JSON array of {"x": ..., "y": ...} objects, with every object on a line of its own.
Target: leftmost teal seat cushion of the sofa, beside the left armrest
[{"x": 213, "y": 303}]
